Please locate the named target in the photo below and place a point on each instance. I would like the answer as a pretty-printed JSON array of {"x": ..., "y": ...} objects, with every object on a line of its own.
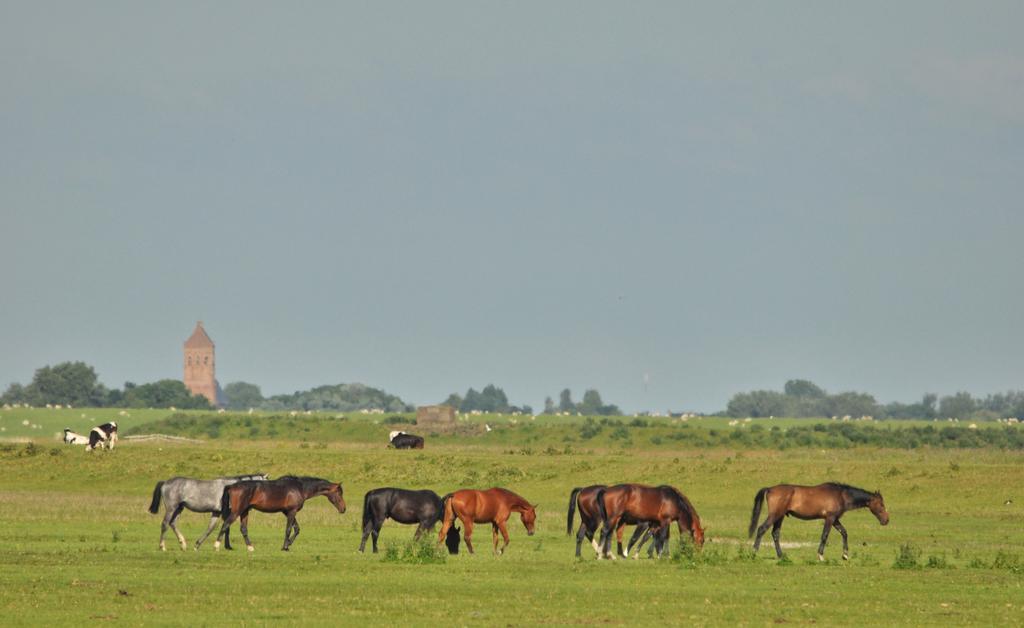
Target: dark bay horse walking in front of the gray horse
[{"x": 287, "y": 495}]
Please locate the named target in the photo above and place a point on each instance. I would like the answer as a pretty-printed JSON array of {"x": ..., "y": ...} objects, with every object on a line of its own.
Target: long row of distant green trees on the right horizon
[{"x": 801, "y": 398}]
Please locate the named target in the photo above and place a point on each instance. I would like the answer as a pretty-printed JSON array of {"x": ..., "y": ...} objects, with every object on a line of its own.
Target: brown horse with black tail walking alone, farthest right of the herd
[{"x": 829, "y": 501}]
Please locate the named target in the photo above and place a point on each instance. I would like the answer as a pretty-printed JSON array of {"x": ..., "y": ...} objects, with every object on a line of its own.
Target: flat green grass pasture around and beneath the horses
[{"x": 78, "y": 545}]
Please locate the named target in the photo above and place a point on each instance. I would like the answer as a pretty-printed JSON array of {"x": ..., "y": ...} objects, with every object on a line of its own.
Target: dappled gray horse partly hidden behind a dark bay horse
[{"x": 198, "y": 496}]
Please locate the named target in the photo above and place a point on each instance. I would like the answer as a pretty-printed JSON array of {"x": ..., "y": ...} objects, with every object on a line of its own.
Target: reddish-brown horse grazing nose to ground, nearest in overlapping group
[{"x": 657, "y": 507}]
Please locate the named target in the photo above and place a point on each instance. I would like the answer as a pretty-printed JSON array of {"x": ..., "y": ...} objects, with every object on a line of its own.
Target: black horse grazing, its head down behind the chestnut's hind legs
[{"x": 422, "y": 508}]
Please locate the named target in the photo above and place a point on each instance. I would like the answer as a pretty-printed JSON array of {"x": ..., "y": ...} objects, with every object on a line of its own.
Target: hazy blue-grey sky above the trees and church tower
[{"x": 668, "y": 202}]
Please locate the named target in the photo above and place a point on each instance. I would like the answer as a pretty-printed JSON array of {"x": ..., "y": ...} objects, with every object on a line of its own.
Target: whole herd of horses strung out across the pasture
[{"x": 605, "y": 511}]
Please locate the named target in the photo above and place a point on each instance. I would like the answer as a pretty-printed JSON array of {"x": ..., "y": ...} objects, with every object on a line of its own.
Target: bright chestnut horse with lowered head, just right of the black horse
[{"x": 493, "y": 507}]
